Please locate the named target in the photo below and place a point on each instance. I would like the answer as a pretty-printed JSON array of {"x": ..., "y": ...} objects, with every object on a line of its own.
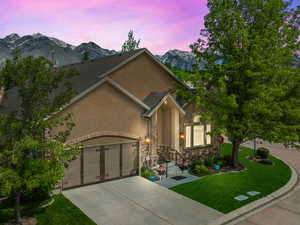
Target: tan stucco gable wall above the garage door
[{"x": 107, "y": 110}]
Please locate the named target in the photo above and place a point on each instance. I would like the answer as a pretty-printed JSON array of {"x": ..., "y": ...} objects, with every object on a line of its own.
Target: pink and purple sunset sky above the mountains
[{"x": 160, "y": 24}]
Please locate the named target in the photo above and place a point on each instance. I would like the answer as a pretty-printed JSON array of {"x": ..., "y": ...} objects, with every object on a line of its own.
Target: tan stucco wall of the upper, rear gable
[{"x": 143, "y": 76}]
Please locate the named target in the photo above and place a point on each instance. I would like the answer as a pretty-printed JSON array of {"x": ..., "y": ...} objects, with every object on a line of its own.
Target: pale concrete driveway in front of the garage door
[{"x": 137, "y": 201}]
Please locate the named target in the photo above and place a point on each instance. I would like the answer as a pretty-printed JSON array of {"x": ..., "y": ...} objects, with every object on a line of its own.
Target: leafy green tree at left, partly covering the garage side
[{"x": 32, "y": 155}]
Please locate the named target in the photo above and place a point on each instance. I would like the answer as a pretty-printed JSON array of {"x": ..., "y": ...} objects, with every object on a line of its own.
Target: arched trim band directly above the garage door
[{"x": 105, "y": 134}]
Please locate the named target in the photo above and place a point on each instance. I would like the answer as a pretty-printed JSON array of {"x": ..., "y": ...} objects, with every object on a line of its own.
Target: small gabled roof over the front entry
[{"x": 155, "y": 99}]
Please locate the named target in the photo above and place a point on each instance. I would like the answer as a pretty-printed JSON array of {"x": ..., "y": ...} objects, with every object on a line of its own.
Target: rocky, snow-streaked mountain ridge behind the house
[{"x": 63, "y": 53}]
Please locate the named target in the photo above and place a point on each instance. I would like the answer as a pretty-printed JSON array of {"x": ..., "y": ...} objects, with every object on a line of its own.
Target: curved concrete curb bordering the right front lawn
[{"x": 246, "y": 211}]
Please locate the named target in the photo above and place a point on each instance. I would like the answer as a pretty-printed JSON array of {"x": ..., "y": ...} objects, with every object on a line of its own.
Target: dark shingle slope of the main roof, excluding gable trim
[{"x": 89, "y": 74}]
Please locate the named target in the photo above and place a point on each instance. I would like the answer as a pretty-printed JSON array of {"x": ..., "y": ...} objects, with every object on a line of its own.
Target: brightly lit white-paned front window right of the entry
[{"x": 196, "y": 133}]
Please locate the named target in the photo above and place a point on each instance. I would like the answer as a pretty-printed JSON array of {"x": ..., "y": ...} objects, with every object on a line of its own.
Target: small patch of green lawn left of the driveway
[{"x": 61, "y": 212}]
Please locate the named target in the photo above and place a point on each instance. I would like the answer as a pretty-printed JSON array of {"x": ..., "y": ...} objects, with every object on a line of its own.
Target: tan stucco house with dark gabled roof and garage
[{"x": 126, "y": 109}]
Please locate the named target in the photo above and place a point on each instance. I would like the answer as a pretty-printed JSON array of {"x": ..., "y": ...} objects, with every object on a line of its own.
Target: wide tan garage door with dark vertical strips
[{"x": 102, "y": 163}]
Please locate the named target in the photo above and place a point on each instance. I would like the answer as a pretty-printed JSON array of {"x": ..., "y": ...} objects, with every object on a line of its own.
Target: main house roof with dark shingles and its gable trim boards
[{"x": 93, "y": 73}]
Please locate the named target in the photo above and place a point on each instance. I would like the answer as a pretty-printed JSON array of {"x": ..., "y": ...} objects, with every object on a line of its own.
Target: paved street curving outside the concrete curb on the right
[{"x": 286, "y": 211}]
